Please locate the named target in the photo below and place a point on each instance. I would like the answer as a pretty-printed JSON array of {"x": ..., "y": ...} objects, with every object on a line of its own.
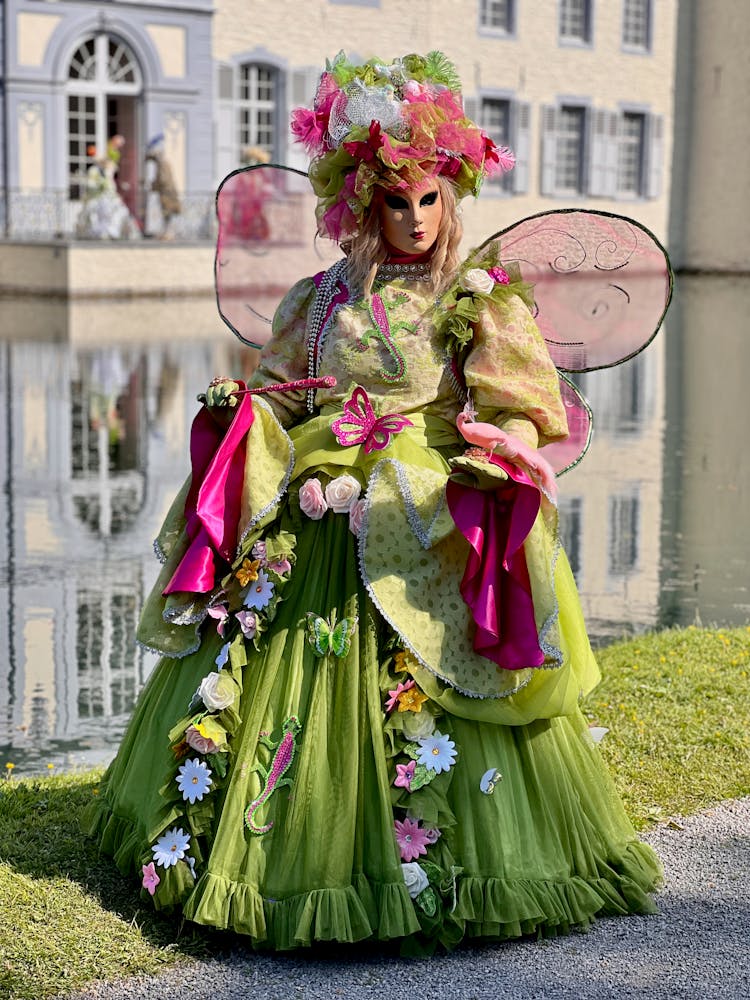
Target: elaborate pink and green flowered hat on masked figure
[{"x": 390, "y": 125}]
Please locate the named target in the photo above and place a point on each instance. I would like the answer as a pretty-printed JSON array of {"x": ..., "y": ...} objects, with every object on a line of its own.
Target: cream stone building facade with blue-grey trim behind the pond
[{"x": 582, "y": 90}]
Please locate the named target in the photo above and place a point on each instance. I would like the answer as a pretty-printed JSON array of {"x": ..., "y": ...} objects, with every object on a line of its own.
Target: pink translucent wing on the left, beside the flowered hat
[{"x": 265, "y": 242}]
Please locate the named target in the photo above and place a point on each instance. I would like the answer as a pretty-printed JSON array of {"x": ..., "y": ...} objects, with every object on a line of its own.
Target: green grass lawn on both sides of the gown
[{"x": 677, "y": 705}]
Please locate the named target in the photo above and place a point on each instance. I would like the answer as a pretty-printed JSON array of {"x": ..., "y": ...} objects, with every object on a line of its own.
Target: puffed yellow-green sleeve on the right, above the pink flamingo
[{"x": 511, "y": 377}]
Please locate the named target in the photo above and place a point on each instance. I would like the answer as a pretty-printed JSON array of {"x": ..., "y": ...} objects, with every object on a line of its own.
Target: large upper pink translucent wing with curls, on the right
[{"x": 602, "y": 283}]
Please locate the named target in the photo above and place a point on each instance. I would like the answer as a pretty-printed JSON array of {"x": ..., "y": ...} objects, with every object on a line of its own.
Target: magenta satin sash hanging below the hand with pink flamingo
[{"x": 495, "y": 583}]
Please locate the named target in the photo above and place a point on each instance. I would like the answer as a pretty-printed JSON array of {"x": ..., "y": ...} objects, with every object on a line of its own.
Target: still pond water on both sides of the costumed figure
[{"x": 94, "y": 445}]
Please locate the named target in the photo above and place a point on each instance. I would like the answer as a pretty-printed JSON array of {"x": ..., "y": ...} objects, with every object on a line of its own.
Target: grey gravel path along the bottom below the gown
[{"x": 696, "y": 947}]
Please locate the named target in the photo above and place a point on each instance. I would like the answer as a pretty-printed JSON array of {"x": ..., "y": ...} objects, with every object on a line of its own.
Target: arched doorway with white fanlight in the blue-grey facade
[{"x": 103, "y": 95}]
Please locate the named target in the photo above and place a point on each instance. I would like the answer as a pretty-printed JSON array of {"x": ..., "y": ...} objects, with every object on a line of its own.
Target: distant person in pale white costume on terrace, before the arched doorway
[{"x": 104, "y": 215}]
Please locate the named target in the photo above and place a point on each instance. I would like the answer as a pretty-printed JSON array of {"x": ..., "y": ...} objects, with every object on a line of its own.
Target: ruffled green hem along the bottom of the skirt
[{"x": 487, "y": 908}]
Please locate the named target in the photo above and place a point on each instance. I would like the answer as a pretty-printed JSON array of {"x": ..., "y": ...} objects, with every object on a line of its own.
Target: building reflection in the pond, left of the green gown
[{"x": 95, "y": 446}]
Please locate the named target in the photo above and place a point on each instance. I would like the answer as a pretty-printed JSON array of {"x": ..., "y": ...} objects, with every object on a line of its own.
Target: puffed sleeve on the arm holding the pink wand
[{"x": 284, "y": 358}]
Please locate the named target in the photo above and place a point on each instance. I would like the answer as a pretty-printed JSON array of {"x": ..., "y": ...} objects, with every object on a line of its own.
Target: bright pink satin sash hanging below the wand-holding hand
[{"x": 212, "y": 508}]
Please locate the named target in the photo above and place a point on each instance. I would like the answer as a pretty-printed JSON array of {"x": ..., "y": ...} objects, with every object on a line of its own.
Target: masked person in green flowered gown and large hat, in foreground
[{"x": 365, "y": 724}]
